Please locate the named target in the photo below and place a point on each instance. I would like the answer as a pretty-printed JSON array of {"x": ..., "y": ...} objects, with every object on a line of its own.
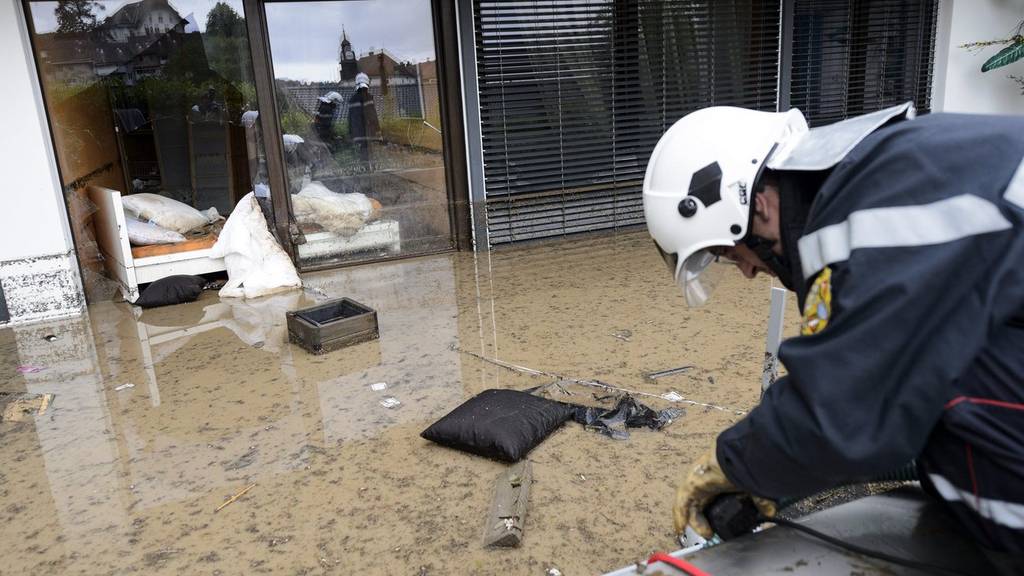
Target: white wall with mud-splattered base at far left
[{"x": 38, "y": 271}]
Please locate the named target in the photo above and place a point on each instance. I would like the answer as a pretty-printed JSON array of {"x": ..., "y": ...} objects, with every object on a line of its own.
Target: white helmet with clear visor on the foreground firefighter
[{"x": 697, "y": 192}]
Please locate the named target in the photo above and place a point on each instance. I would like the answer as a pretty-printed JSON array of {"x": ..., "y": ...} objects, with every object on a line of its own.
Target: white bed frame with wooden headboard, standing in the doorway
[{"x": 130, "y": 271}]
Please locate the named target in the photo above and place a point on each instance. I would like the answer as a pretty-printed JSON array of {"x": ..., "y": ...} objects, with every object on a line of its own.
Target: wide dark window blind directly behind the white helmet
[{"x": 576, "y": 94}]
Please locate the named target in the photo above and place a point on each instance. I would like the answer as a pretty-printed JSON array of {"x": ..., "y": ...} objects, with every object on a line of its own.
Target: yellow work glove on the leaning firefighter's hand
[{"x": 703, "y": 484}]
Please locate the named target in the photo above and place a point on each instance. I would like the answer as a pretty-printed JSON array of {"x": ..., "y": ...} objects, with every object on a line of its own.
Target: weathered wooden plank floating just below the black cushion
[{"x": 508, "y": 511}]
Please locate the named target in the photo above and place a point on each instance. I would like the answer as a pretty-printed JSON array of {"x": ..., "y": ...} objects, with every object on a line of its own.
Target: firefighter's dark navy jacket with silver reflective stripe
[{"x": 920, "y": 233}]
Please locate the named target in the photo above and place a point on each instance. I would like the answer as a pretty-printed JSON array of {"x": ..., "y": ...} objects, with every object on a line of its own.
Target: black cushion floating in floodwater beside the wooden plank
[{"x": 500, "y": 424}]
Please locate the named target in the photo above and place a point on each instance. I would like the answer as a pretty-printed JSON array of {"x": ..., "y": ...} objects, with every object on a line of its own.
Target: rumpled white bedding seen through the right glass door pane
[{"x": 344, "y": 215}]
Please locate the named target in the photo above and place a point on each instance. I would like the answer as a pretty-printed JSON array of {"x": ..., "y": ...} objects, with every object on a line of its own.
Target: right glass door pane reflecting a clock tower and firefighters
[{"x": 358, "y": 100}]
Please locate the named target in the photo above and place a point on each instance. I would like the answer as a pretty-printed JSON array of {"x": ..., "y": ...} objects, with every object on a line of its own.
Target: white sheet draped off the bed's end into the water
[{"x": 257, "y": 265}]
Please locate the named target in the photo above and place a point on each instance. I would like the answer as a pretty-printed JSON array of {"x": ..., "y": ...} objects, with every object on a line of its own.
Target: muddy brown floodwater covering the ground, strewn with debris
[{"x": 159, "y": 418}]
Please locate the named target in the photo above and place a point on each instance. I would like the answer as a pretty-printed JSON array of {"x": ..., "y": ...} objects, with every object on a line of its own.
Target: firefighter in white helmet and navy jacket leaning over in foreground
[{"x": 904, "y": 239}]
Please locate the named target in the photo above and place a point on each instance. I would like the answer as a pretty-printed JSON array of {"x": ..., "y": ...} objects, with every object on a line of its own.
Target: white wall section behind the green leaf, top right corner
[{"x": 960, "y": 86}]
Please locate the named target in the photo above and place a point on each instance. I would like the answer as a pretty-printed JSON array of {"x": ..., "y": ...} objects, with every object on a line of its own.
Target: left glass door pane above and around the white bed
[{"x": 149, "y": 97}]
